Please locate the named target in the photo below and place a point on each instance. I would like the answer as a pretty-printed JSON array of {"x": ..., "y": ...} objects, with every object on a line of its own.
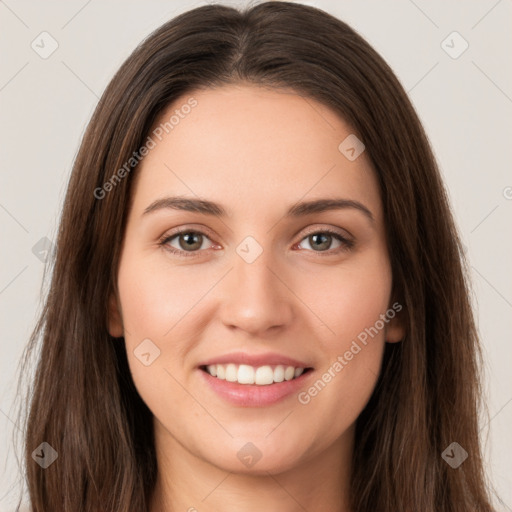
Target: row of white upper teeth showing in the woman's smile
[{"x": 261, "y": 376}]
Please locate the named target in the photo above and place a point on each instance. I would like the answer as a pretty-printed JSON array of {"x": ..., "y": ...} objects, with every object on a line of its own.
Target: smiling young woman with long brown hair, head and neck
[{"x": 259, "y": 298}]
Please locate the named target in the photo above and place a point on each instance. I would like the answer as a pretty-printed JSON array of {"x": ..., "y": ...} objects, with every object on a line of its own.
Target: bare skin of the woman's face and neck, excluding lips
[{"x": 255, "y": 151}]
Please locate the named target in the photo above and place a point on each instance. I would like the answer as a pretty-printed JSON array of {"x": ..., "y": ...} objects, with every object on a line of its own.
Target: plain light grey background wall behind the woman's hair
[{"x": 465, "y": 105}]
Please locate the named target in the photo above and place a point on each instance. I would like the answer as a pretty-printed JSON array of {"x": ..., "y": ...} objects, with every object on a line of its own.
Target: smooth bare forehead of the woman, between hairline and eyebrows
[{"x": 241, "y": 145}]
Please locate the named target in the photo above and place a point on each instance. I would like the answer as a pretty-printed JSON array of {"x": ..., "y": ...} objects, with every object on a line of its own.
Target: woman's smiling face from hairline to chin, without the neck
[{"x": 257, "y": 283}]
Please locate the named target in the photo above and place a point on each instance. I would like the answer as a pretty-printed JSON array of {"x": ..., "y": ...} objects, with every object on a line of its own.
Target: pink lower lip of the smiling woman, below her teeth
[{"x": 251, "y": 395}]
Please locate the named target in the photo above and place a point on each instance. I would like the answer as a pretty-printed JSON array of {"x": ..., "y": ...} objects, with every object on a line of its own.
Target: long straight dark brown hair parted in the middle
[{"x": 83, "y": 401}]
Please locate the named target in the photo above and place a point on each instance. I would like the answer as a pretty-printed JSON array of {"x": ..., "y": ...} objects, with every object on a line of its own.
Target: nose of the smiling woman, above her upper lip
[{"x": 255, "y": 298}]
